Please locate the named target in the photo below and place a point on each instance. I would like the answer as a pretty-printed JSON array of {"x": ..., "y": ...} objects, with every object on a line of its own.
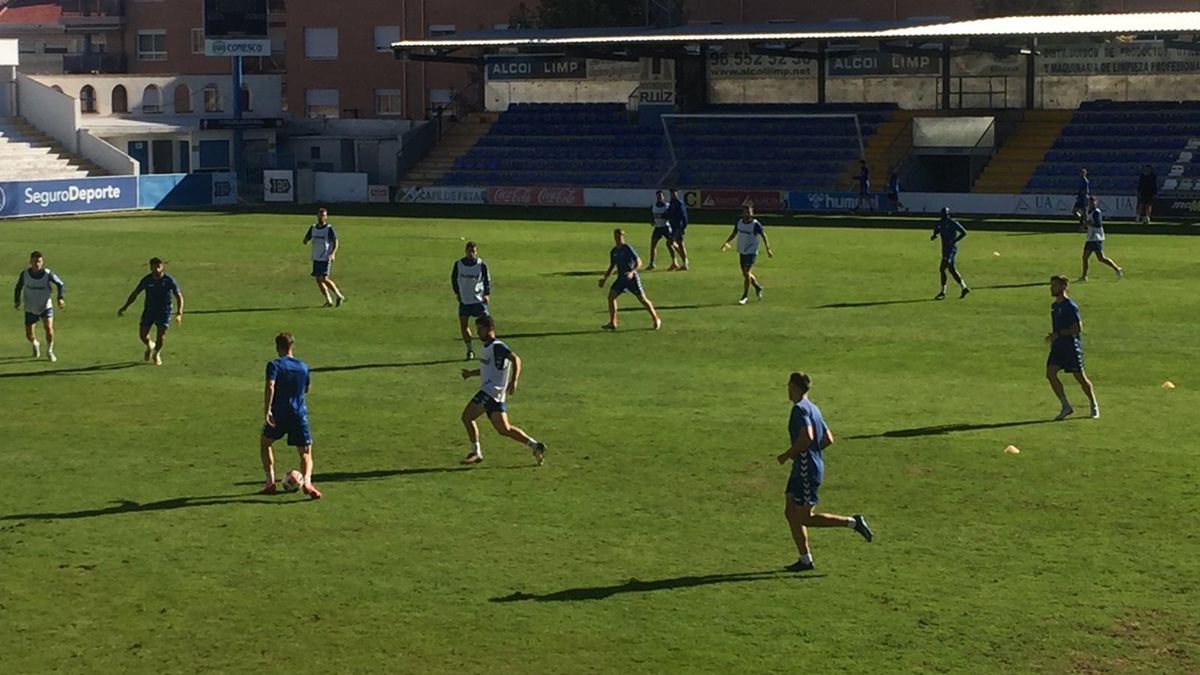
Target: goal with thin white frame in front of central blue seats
[{"x": 769, "y": 152}]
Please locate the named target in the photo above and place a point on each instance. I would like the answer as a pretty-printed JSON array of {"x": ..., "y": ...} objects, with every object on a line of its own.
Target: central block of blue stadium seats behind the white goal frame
[{"x": 602, "y": 145}]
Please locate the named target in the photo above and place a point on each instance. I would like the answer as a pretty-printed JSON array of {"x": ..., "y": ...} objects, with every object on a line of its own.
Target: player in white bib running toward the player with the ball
[{"x": 499, "y": 372}]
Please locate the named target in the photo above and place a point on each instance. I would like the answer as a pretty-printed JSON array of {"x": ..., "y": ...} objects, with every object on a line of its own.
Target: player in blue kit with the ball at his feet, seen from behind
[{"x": 286, "y": 414}]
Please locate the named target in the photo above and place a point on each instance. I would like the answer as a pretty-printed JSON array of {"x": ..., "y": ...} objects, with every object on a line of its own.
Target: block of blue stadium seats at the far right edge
[{"x": 1114, "y": 140}]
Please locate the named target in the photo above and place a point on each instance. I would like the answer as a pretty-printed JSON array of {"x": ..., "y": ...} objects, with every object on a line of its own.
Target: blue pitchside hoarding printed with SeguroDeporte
[{"x": 75, "y": 196}]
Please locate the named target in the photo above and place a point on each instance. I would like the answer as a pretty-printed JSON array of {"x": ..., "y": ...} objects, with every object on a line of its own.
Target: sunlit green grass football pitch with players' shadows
[{"x": 653, "y": 540}]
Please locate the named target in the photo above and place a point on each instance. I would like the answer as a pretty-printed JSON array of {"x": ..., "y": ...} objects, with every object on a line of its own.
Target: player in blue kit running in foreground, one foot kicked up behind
[{"x": 811, "y": 438}]
